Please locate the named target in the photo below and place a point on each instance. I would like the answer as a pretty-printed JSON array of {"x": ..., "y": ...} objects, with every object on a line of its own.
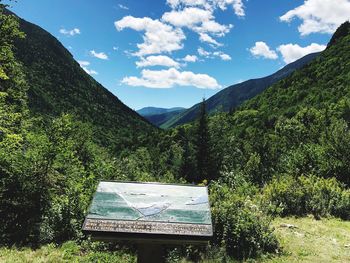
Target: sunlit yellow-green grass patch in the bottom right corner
[{"x": 326, "y": 240}]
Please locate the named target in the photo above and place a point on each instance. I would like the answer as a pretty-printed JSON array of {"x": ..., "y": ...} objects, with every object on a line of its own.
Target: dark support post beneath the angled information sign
[{"x": 150, "y": 253}]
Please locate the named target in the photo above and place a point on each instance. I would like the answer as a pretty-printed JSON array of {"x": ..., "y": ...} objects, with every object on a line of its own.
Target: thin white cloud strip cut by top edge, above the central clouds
[{"x": 237, "y": 5}]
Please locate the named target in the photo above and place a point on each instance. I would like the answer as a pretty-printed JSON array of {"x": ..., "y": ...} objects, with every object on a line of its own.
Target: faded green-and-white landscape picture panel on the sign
[{"x": 151, "y": 202}]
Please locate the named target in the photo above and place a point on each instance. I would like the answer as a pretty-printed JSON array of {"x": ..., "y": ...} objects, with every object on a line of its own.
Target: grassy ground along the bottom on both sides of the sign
[{"x": 326, "y": 240}]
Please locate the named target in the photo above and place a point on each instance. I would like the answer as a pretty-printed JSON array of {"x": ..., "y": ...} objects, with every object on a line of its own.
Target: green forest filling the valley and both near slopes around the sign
[{"x": 285, "y": 152}]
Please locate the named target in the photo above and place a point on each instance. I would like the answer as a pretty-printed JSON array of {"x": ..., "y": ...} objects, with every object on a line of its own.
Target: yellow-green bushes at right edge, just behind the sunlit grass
[{"x": 307, "y": 194}]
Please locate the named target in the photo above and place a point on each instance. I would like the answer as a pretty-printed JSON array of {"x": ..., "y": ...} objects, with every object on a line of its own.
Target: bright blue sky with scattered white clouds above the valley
[{"x": 172, "y": 53}]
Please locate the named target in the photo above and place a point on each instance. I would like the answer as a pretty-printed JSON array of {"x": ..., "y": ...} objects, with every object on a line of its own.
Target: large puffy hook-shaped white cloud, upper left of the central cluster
[{"x": 158, "y": 38}]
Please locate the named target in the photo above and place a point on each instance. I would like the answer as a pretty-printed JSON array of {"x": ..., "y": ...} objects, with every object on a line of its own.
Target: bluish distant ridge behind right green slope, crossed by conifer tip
[{"x": 235, "y": 95}]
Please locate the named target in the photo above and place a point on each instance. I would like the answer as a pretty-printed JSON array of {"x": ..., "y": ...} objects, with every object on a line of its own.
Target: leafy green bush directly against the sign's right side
[{"x": 240, "y": 228}]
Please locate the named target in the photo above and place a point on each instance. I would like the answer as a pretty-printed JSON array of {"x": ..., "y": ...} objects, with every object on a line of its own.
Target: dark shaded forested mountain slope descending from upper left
[{"x": 57, "y": 85}]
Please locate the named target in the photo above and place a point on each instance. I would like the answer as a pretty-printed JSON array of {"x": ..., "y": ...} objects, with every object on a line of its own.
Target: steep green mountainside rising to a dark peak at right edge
[{"x": 323, "y": 82}]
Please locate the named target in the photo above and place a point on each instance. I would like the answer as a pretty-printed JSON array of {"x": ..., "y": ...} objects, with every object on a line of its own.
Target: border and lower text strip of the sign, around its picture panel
[{"x": 107, "y": 229}]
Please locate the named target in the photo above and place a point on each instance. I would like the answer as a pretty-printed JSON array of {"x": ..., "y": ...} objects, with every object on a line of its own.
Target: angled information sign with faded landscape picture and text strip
[{"x": 149, "y": 211}]
